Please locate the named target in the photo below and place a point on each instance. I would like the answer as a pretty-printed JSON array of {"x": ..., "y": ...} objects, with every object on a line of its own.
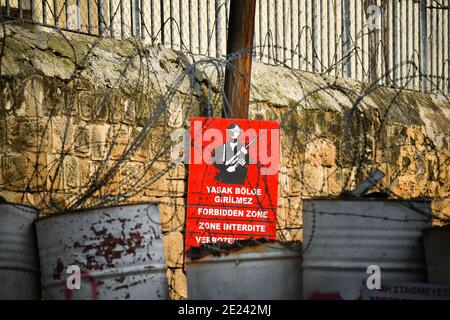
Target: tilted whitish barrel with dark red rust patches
[{"x": 116, "y": 253}]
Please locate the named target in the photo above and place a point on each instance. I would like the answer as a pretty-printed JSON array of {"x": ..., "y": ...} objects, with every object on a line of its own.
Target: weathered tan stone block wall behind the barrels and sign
[{"x": 85, "y": 121}]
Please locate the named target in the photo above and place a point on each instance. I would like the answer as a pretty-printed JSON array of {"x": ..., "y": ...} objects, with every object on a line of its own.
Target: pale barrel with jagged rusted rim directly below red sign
[{"x": 266, "y": 271}]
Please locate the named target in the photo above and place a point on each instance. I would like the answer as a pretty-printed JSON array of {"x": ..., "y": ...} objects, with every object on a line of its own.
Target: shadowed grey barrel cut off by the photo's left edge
[{"x": 19, "y": 263}]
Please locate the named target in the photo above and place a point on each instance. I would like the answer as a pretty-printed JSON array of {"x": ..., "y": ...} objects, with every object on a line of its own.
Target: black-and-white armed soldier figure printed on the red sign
[{"x": 231, "y": 158}]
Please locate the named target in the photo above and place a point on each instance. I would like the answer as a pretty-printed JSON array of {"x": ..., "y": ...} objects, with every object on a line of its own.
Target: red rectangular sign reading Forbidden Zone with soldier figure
[{"x": 233, "y": 180}]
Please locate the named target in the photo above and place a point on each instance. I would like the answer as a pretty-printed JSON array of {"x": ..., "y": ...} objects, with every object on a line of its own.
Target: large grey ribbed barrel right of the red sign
[{"x": 342, "y": 238}]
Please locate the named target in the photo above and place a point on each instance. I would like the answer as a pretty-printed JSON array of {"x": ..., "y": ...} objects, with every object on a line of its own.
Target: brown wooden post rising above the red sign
[{"x": 241, "y": 27}]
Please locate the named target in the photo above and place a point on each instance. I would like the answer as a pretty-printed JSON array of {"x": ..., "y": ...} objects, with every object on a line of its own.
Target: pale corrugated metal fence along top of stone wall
[{"x": 403, "y": 43}]
